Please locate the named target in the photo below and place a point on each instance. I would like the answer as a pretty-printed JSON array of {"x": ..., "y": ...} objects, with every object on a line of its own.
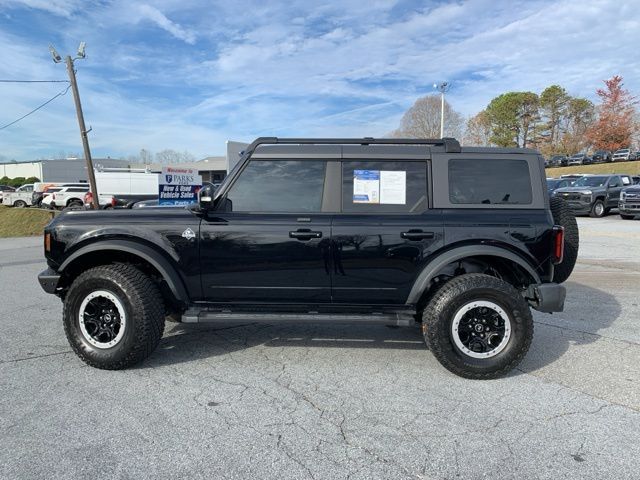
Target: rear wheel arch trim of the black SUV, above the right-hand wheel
[{"x": 423, "y": 282}]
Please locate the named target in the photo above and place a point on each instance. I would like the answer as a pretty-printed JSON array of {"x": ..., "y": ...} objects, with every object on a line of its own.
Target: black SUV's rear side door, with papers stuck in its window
[{"x": 385, "y": 231}]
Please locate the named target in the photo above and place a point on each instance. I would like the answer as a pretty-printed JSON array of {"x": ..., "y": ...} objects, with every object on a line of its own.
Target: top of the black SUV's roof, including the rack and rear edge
[{"x": 271, "y": 147}]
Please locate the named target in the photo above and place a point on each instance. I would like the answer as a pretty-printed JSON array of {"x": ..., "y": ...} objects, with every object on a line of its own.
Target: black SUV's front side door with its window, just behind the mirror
[{"x": 269, "y": 242}]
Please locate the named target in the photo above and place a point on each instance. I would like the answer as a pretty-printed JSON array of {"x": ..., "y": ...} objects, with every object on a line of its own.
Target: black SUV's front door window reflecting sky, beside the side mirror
[{"x": 279, "y": 186}]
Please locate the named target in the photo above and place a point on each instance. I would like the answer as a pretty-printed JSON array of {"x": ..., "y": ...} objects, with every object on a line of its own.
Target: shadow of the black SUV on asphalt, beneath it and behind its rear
[{"x": 587, "y": 310}]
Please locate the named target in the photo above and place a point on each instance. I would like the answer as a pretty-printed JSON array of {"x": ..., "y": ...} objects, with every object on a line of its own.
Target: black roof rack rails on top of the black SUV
[{"x": 451, "y": 145}]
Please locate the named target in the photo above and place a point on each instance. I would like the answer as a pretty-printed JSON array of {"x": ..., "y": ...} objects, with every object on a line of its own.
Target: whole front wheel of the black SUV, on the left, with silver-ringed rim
[{"x": 113, "y": 316}]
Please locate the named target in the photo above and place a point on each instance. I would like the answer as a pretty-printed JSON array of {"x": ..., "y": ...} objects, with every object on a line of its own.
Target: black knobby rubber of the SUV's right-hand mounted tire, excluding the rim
[{"x": 439, "y": 315}]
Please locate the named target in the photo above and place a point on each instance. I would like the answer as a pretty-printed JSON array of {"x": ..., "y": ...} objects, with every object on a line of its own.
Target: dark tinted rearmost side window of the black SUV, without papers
[{"x": 489, "y": 182}]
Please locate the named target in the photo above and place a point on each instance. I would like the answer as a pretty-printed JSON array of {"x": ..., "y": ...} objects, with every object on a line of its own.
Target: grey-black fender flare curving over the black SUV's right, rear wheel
[{"x": 429, "y": 272}]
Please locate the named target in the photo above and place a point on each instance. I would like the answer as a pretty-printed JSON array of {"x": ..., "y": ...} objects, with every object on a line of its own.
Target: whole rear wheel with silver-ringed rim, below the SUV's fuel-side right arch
[{"x": 478, "y": 326}]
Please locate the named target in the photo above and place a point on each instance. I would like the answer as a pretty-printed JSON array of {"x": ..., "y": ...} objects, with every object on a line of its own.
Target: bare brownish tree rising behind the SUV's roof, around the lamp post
[{"x": 422, "y": 120}]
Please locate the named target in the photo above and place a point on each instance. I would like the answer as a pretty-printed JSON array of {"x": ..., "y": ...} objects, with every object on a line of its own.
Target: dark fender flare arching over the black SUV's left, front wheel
[{"x": 125, "y": 251}]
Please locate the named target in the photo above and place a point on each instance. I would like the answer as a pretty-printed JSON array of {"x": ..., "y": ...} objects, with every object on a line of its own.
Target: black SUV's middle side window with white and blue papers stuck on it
[{"x": 384, "y": 187}]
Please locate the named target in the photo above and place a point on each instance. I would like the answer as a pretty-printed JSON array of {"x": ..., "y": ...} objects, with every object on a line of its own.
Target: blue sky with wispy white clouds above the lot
[{"x": 189, "y": 75}]
